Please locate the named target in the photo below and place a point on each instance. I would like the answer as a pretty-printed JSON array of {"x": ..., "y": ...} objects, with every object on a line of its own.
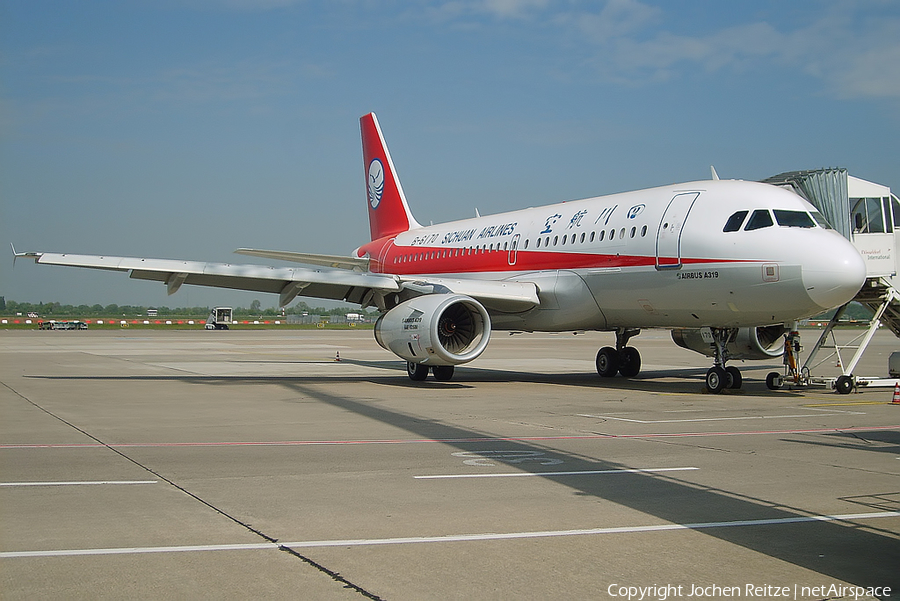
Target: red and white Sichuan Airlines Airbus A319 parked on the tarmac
[{"x": 727, "y": 265}]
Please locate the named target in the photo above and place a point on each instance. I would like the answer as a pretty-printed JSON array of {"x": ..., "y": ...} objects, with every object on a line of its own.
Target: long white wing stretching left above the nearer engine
[{"x": 290, "y": 282}]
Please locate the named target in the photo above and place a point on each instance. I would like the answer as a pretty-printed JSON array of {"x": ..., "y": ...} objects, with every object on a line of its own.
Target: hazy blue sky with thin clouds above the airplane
[{"x": 189, "y": 128}]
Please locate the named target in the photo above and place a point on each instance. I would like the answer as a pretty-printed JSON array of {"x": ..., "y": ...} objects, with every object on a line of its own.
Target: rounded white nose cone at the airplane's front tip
[{"x": 834, "y": 274}]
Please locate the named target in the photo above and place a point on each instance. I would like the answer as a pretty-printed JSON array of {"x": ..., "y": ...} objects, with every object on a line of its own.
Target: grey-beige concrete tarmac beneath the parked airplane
[{"x": 252, "y": 464}]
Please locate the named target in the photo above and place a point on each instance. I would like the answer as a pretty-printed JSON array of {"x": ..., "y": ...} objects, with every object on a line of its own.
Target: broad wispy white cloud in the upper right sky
[{"x": 853, "y": 48}]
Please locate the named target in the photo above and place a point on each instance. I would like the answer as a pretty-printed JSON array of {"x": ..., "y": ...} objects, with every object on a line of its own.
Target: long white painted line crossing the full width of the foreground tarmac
[{"x": 455, "y": 537}]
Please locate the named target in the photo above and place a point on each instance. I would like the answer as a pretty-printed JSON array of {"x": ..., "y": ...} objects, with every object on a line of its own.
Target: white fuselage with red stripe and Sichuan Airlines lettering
[{"x": 653, "y": 258}]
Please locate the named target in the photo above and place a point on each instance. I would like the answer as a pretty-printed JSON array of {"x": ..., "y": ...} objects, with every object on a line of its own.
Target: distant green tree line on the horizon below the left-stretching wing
[{"x": 12, "y": 307}]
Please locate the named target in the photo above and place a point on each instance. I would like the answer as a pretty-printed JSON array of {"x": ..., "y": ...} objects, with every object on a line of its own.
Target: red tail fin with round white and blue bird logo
[{"x": 388, "y": 212}]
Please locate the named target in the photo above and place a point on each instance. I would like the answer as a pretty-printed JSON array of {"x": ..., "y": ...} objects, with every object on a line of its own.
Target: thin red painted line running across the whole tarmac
[{"x": 285, "y": 443}]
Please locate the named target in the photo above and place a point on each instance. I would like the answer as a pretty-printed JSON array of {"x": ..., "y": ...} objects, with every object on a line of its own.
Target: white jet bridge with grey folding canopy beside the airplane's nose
[{"x": 865, "y": 213}]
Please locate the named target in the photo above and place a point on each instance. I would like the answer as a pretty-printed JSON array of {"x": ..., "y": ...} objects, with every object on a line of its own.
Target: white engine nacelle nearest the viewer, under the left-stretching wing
[{"x": 435, "y": 329}]
